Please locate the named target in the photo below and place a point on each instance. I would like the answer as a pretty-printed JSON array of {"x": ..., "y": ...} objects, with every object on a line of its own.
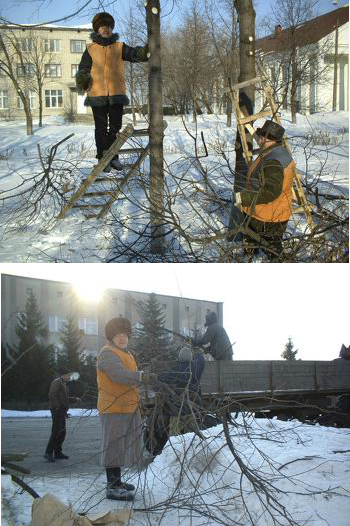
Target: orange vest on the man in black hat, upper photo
[{"x": 281, "y": 208}]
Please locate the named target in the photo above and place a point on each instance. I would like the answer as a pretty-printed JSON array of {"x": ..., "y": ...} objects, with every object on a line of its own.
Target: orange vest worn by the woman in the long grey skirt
[{"x": 114, "y": 397}]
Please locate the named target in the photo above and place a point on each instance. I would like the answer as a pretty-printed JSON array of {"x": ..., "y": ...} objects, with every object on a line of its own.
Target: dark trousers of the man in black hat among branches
[{"x": 271, "y": 235}]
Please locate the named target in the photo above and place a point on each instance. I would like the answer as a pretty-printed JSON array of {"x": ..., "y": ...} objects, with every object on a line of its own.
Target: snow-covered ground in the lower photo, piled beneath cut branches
[{"x": 198, "y": 482}]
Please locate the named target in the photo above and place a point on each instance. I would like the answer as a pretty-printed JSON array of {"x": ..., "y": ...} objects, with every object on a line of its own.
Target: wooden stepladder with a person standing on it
[{"x": 81, "y": 197}]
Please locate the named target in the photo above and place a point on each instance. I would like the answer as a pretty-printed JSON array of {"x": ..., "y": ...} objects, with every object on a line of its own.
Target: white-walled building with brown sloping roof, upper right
[{"x": 309, "y": 54}]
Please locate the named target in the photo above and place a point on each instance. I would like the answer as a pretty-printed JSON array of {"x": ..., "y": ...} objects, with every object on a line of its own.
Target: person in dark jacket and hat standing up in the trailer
[{"x": 220, "y": 346}]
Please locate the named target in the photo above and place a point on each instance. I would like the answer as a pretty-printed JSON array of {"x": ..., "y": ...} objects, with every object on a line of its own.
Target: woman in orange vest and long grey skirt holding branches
[{"x": 118, "y": 381}]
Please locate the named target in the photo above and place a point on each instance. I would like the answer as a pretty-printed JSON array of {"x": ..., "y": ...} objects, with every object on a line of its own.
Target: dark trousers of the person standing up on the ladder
[{"x": 108, "y": 121}]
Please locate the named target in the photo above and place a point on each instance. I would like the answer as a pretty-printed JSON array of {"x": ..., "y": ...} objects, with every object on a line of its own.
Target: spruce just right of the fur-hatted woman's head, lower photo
[{"x": 152, "y": 340}]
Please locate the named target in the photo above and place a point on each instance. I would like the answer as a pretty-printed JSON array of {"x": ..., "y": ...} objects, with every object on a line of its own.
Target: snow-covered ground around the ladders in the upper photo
[{"x": 30, "y": 234}]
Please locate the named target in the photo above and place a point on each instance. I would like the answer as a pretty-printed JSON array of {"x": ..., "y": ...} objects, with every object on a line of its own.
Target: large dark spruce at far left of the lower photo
[{"x": 32, "y": 356}]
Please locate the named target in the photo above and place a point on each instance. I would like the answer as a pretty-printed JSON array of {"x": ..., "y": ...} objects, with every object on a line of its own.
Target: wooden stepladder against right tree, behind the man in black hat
[{"x": 244, "y": 121}]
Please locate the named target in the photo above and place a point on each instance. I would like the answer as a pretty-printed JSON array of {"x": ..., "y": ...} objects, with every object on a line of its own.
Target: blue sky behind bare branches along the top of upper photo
[{"x": 43, "y": 11}]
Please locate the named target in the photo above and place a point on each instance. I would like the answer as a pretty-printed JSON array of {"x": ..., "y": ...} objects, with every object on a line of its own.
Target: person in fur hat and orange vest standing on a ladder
[{"x": 101, "y": 75}]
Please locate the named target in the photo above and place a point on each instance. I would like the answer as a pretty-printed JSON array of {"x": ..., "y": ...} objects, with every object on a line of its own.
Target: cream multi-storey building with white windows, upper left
[{"x": 54, "y": 53}]
